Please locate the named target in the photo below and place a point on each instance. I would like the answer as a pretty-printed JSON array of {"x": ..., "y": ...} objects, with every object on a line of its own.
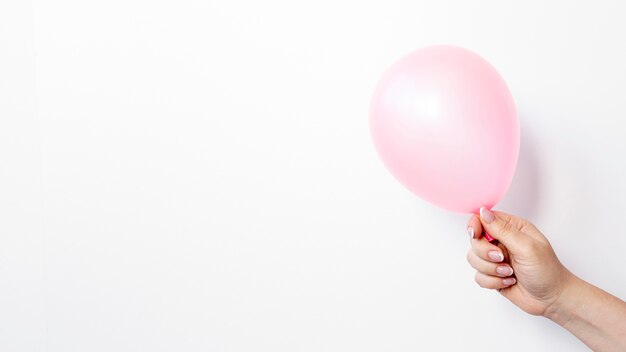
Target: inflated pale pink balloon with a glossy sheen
[{"x": 444, "y": 123}]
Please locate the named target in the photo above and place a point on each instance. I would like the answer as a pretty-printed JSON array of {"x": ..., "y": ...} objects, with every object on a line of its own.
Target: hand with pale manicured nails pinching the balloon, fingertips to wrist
[{"x": 523, "y": 266}]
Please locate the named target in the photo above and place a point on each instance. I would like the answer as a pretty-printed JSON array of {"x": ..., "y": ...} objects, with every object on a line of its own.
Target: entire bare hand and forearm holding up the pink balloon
[{"x": 532, "y": 277}]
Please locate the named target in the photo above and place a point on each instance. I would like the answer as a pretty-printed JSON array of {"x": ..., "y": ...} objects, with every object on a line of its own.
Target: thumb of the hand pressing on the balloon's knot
[{"x": 501, "y": 226}]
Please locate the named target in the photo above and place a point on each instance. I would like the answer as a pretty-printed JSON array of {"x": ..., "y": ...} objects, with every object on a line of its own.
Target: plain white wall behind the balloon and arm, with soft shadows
[{"x": 199, "y": 176}]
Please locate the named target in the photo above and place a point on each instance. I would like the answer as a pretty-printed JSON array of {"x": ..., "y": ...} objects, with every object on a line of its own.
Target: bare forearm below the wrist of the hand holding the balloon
[{"x": 594, "y": 316}]
